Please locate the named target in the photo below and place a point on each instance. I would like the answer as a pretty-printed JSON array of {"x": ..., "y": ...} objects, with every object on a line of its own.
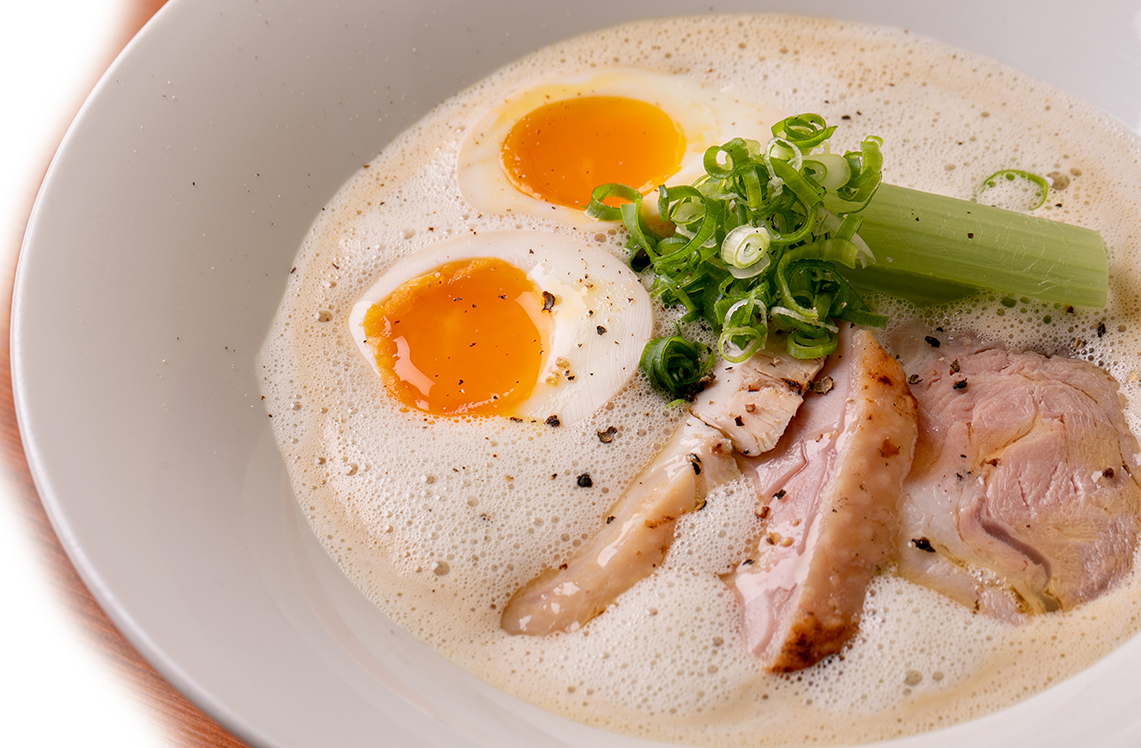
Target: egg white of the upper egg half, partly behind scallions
[{"x": 706, "y": 117}]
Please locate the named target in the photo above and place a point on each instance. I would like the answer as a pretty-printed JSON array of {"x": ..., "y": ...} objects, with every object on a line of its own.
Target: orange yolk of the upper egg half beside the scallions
[{"x": 562, "y": 151}]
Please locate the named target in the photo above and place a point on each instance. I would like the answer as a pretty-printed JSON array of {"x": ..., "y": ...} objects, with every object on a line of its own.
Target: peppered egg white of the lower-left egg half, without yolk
[{"x": 602, "y": 318}]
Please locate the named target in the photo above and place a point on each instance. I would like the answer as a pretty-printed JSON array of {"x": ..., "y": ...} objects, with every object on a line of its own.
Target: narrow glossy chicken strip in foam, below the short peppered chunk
[{"x": 634, "y": 541}]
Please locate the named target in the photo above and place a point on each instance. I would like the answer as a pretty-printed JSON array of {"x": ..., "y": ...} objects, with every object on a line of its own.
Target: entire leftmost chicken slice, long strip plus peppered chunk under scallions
[{"x": 749, "y": 404}]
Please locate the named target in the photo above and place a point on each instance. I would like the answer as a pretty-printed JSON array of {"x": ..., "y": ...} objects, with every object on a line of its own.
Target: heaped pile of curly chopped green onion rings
[{"x": 756, "y": 235}]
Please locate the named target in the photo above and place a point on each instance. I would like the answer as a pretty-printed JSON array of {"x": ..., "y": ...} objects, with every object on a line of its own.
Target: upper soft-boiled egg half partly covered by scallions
[{"x": 544, "y": 150}]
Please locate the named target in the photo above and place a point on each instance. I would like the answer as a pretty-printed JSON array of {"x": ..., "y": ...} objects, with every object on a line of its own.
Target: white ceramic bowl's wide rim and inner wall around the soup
[{"x": 155, "y": 262}]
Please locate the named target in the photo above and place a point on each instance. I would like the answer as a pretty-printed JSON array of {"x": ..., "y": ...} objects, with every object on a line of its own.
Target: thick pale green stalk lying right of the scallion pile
[{"x": 930, "y": 249}]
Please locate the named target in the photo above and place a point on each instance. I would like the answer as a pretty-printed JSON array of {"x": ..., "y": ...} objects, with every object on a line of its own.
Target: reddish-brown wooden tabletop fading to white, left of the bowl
[{"x": 68, "y": 678}]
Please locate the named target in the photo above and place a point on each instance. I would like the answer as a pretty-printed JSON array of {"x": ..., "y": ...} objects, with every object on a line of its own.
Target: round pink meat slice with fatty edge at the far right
[{"x": 1024, "y": 498}]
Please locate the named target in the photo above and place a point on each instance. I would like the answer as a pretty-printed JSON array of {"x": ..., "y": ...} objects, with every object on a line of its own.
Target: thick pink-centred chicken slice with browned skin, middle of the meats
[{"x": 830, "y": 493}]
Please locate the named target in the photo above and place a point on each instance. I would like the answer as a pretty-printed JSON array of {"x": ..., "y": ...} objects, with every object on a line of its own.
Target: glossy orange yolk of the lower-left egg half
[{"x": 467, "y": 338}]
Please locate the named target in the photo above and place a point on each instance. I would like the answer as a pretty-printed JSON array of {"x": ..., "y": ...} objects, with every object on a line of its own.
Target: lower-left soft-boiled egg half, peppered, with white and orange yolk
[{"x": 523, "y": 324}]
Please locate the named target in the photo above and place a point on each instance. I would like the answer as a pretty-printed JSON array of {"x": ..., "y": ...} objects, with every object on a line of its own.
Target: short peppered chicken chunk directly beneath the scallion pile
[{"x": 754, "y": 402}]
